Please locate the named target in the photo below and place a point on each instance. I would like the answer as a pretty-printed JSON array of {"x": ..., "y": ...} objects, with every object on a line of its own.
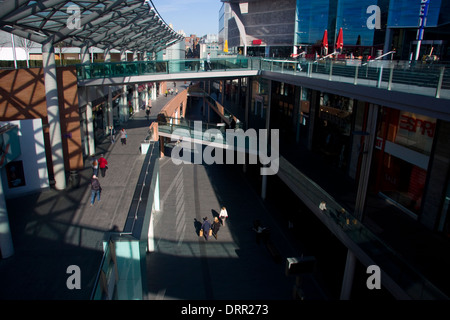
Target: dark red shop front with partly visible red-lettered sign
[{"x": 402, "y": 152}]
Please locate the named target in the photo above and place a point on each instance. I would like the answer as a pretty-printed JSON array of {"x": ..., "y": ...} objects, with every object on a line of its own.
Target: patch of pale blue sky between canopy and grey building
[{"x": 197, "y": 17}]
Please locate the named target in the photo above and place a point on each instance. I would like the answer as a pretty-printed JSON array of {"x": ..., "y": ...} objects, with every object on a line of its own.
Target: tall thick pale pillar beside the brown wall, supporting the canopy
[{"x": 51, "y": 96}]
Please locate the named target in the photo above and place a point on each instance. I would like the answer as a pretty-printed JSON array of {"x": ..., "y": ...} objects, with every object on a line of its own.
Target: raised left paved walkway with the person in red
[{"x": 52, "y": 229}]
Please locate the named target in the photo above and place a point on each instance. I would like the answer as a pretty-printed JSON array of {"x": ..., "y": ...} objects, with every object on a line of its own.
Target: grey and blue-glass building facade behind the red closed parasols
[{"x": 282, "y": 28}]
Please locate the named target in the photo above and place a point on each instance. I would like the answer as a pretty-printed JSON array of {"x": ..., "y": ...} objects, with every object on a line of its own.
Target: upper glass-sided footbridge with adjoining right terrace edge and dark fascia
[{"x": 402, "y": 85}]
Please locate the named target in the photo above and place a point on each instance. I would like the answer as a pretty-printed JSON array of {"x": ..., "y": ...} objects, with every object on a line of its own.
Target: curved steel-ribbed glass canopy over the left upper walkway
[{"x": 105, "y": 24}]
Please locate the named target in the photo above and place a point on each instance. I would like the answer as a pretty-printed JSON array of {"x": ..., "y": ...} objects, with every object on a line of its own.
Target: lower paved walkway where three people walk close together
[{"x": 233, "y": 267}]
